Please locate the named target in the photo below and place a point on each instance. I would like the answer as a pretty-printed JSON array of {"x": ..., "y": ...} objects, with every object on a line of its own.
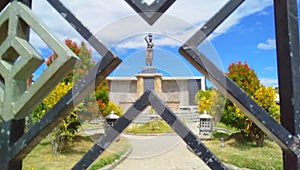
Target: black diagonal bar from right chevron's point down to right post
[{"x": 256, "y": 113}]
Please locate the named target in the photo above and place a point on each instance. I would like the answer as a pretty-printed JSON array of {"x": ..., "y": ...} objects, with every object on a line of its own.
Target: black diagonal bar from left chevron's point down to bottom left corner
[{"x": 54, "y": 116}]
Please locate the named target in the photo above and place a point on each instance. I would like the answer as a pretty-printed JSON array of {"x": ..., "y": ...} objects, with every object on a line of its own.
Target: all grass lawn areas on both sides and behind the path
[{"x": 237, "y": 151}]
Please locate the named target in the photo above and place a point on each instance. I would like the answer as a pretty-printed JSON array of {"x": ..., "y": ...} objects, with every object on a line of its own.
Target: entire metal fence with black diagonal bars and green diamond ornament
[{"x": 15, "y": 144}]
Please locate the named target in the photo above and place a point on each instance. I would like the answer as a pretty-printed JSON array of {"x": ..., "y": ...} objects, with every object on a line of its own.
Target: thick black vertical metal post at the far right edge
[{"x": 288, "y": 61}]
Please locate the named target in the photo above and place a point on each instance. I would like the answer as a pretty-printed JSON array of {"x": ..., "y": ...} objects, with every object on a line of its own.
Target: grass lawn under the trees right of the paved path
[{"x": 242, "y": 153}]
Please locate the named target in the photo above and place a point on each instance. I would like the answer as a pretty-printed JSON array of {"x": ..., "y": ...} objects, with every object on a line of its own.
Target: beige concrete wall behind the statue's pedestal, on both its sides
[{"x": 175, "y": 91}]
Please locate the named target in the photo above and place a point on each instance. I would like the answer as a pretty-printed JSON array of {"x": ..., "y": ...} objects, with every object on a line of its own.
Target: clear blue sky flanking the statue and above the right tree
[{"x": 251, "y": 41}]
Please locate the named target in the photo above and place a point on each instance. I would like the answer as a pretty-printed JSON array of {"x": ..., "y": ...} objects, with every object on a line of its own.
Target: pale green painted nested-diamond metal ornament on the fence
[{"x": 18, "y": 101}]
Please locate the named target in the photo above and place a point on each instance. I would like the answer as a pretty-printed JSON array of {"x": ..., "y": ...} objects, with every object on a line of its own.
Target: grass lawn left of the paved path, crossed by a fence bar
[{"x": 42, "y": 157}]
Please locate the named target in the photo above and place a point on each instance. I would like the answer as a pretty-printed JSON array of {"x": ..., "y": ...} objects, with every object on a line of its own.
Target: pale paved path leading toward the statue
[{"x": 165, "y": 152}]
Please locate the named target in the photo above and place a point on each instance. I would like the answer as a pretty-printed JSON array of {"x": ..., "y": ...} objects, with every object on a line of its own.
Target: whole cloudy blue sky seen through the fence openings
[{"x": 247, "y": 36}]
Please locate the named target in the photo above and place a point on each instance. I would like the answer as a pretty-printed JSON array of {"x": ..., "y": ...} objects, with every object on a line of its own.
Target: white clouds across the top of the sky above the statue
[{"x": 116, "y": 23}]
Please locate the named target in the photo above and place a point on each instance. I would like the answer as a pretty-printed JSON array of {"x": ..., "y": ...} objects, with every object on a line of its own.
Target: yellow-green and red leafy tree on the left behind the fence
[{"x": 65, "y": 131}]
